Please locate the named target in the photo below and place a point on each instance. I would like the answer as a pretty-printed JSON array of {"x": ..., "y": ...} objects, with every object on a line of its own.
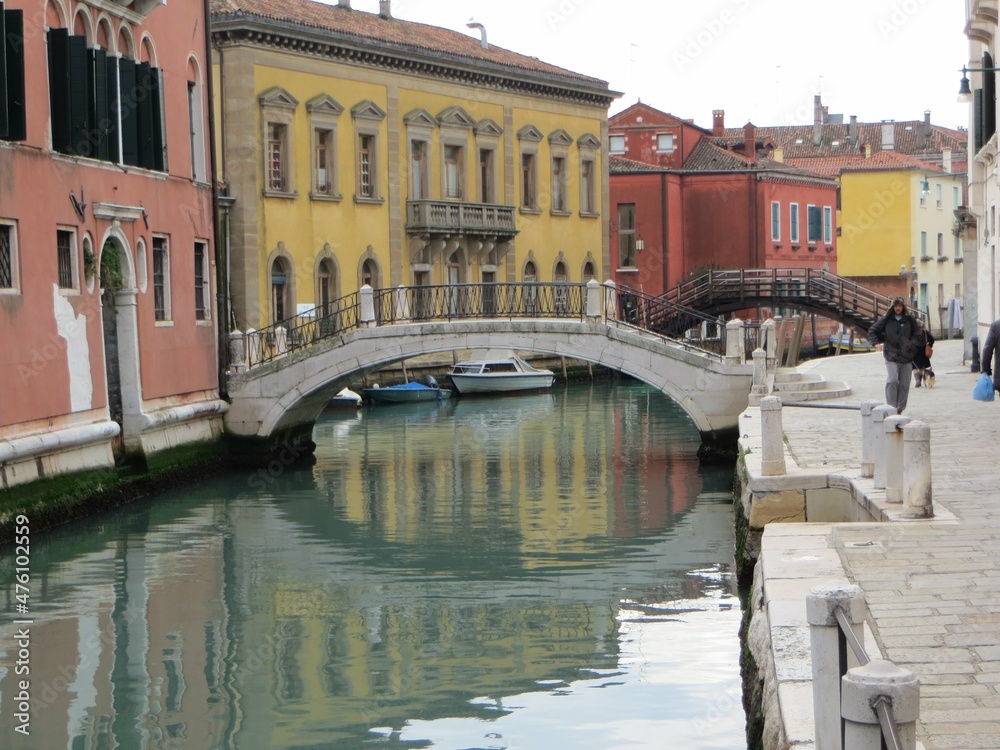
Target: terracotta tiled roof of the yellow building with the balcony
[{"x": 389, "y": 31}]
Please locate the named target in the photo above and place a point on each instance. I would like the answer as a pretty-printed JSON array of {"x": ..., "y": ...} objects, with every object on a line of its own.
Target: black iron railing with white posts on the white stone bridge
[{"x": 496, "y": 301}]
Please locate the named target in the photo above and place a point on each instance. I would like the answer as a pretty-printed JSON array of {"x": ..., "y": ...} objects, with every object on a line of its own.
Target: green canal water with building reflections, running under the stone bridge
[{"x": 541, "y": 572}]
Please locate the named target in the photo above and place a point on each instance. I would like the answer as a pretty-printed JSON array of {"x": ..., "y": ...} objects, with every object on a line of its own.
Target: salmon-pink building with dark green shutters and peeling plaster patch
[{"x": 107, "y": 312}]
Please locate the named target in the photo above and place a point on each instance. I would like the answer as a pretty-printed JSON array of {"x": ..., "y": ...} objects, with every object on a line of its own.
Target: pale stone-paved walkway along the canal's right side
[{"x": 933, "y": 589}]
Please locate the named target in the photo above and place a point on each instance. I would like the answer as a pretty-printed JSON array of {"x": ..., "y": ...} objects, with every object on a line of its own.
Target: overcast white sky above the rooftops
[{"x": 759, "y": 60}]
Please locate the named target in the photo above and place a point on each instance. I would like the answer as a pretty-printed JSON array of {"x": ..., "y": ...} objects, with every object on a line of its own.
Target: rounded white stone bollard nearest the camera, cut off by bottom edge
[{"x": 879, "y": 682}]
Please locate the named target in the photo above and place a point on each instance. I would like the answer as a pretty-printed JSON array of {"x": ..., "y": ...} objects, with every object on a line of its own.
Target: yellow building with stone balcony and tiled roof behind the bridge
[{"x": 357, "y": 149}]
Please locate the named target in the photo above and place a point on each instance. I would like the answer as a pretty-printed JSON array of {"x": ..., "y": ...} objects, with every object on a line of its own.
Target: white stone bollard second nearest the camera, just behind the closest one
[{"x": 825, "y": 644}]
